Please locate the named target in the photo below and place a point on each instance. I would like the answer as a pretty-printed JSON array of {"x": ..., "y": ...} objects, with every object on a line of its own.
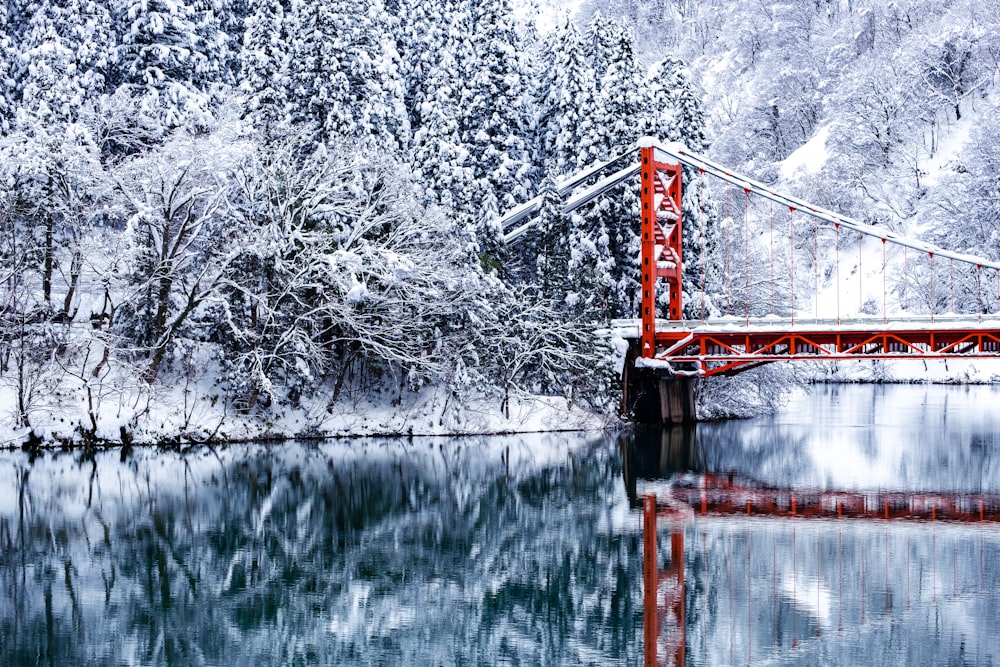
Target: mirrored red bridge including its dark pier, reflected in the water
[{"x": 739, "y": 572}]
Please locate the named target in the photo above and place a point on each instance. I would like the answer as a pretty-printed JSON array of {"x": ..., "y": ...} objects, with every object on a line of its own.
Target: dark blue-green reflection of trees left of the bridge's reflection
[{"x": 445, "y": 553}]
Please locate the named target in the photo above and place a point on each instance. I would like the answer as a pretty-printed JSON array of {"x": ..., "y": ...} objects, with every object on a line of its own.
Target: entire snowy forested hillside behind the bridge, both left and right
[{"x": 252, "y": 207}]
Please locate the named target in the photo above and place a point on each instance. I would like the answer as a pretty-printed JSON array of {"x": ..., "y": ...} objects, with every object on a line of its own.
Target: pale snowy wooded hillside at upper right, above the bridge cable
[{"x": 886, "y": 112}]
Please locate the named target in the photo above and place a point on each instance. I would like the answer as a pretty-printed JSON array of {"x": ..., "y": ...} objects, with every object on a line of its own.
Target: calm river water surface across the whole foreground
[{"x": 521, "y": 550}]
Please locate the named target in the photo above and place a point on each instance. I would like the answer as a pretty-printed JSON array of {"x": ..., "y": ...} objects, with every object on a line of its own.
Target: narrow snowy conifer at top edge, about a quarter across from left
[{"x": 263, "y": 61}]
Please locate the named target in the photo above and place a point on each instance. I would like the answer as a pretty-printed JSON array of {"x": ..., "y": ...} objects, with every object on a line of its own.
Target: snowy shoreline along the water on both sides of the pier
[{"x": 183, "y": 413}]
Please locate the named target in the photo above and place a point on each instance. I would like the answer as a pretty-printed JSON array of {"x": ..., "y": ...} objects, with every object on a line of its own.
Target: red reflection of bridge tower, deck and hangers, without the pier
[{"x": 711, "y": 496}]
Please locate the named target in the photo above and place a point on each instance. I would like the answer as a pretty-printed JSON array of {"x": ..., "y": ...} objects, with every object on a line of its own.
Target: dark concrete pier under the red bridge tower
[{"x": 656, "y": 396}]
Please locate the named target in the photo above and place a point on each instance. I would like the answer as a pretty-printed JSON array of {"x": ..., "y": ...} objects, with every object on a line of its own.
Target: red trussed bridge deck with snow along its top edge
[{"x": 729, "y": 345}]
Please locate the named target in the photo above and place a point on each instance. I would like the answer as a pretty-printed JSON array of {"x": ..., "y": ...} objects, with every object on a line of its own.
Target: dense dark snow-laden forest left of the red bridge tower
[{"x": 255, "y": 207}]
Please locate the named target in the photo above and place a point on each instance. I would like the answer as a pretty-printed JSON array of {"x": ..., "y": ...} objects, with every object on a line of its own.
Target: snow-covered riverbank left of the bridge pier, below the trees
[{"x": 178, "y": 414}]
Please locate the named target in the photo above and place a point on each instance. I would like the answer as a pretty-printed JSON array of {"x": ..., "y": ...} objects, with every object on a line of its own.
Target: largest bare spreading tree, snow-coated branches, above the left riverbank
[{"x": 342, "y": 268}]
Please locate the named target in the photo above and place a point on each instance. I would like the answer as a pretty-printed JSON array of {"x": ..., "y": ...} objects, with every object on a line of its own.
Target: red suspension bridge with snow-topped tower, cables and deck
[{"x": 808, "y": 311}]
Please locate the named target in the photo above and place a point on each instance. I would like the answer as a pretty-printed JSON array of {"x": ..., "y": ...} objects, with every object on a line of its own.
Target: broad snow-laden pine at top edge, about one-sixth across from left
[{"x": 171, "y": 54}]
